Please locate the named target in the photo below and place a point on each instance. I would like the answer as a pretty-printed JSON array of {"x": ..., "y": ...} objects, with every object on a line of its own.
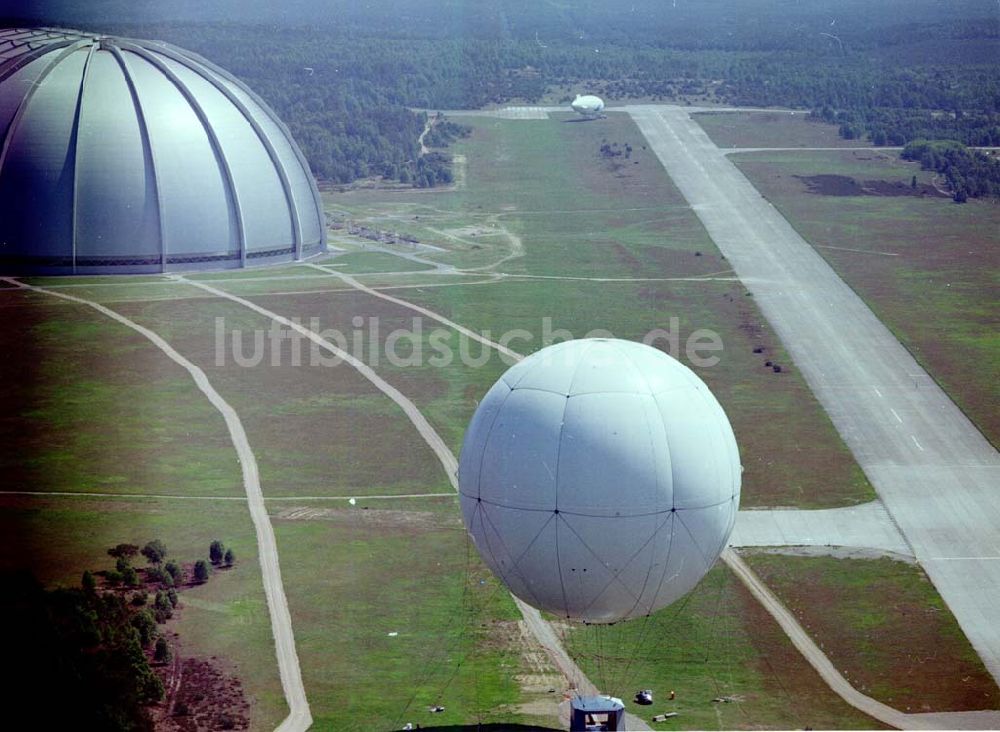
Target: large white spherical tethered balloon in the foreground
[{"x": 599, "y": 479}]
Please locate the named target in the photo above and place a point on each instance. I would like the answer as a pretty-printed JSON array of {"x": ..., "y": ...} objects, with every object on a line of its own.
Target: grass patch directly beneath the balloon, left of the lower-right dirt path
[{"x": 716, "y": 642}]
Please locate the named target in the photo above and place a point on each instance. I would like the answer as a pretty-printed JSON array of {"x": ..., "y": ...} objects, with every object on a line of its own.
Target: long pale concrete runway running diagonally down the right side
[{"x": 936, "y": 474}]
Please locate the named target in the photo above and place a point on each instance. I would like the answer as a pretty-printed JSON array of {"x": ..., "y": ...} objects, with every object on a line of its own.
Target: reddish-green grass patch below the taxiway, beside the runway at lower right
[{"x": 883, "y": 625}]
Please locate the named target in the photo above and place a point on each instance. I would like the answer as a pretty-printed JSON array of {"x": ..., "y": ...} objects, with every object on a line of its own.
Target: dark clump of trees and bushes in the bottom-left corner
[{"x": 84, "y": 657}]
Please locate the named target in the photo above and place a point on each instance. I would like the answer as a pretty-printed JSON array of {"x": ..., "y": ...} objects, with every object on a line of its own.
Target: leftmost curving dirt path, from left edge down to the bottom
[{"x": 299, "y": 717}]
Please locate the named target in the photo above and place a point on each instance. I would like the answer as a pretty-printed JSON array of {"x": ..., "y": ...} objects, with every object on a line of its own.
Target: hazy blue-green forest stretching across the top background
[{"x": 347, "y": 77}]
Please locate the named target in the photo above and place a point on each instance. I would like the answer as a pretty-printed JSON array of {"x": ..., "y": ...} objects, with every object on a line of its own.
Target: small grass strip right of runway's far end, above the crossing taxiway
[{"x": 771, "y": 129}]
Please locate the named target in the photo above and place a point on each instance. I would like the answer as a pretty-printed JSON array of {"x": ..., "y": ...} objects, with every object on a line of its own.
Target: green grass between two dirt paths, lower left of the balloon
[{"x": 356, "y": 575}]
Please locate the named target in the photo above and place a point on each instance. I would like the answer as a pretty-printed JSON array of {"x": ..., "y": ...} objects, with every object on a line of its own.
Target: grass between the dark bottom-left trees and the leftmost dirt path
[{"x": 57, "y": 538}]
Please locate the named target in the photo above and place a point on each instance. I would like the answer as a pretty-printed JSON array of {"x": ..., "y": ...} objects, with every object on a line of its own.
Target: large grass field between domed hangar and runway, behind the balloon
[{"x": 577, "y": 215}]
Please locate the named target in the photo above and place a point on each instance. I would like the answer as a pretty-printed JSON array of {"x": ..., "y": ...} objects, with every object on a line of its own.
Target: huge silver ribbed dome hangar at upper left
[{"x": 121, "y": 155}]
